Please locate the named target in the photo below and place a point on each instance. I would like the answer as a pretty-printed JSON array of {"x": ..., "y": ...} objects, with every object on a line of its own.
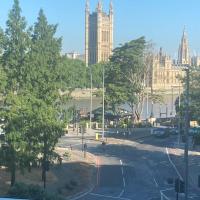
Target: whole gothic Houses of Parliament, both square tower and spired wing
[{"x": 164, "y": 73}]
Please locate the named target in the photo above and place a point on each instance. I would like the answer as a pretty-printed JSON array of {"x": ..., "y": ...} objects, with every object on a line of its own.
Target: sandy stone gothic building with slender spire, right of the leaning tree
[{"x": 165, "y": 73}]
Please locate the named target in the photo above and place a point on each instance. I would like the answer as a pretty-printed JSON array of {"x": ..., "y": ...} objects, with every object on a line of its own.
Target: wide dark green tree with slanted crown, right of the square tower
[{"x": 126, "y": 74}]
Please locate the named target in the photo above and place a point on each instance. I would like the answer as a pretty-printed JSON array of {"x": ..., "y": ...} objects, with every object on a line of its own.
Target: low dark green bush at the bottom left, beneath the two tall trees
[{"x": 35, "y": 192}]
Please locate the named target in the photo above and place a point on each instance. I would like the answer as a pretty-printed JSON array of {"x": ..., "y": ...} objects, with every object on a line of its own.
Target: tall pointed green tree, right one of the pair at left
[{"x": 44, "y": 79}]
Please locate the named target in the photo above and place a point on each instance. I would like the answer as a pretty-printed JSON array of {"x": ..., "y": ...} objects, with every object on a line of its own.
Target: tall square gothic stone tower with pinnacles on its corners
[{"x": 98, "y": 34}]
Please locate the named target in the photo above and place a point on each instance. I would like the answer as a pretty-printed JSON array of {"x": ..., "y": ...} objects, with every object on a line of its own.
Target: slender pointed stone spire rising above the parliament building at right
[{"x": 183, "y": 53}]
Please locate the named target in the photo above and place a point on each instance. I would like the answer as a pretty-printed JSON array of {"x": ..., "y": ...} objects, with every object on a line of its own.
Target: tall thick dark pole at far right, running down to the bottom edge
[{"x": 186, "y": 132}]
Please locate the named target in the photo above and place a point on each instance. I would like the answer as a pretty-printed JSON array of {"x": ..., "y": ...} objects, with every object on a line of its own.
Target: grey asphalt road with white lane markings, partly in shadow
[{"x": 135, "y": 170}]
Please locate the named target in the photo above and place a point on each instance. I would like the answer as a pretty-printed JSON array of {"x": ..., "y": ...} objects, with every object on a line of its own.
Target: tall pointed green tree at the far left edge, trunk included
[{"x": 14, "y": 50}]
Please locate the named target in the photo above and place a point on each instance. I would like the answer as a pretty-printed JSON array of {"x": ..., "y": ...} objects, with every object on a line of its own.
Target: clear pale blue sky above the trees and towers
[{"x": 160, "y": 21}]
